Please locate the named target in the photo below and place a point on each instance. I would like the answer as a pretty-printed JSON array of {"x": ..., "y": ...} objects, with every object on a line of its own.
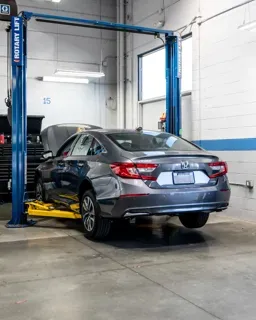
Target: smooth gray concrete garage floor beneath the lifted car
[{"x": 148, "y": 271}]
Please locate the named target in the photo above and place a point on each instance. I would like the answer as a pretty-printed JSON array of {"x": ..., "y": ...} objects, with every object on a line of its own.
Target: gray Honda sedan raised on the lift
[{"x": 123, "y": 174}]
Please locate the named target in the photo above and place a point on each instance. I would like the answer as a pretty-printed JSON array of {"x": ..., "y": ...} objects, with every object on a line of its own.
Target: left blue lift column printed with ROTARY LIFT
[{"x": 19, "y": 121}]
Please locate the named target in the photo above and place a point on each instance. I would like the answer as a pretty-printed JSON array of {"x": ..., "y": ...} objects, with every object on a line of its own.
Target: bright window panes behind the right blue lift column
[{"x": 152, "y": 82}]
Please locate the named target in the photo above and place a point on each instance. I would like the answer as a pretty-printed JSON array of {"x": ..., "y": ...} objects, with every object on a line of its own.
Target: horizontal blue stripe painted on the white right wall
[{"x": 245, "y": 144}]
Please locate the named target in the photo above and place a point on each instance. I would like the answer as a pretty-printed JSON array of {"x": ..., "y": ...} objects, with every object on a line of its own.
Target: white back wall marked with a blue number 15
[{"x": 52, "y": 47}]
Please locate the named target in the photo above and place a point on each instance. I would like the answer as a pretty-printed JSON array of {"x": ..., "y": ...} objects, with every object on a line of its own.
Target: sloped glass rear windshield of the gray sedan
[{"x": 151, "y": 141}]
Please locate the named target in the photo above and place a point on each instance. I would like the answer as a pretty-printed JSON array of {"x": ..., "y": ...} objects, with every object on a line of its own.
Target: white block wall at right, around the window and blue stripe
[{"x": 224, "y": 77}]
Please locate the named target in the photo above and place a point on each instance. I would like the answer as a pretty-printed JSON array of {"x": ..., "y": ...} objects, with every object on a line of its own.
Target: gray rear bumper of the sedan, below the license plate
[{"x": 168, "y": 203}]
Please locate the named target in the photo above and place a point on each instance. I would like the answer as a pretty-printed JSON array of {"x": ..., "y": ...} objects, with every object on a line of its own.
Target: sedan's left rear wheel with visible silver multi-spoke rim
[{"x": 95, "y": 227}]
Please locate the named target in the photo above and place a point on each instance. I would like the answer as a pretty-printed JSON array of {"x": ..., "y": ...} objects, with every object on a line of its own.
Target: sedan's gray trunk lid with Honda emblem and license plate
[{"x": 176, "y": 169}]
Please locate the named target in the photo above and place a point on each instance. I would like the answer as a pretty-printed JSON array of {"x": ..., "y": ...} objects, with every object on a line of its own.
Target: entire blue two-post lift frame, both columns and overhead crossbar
[{"x": 19, "y": 107}]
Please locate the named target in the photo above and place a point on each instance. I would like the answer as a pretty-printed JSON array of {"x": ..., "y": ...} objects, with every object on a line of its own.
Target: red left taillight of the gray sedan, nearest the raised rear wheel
[{"x": 131, "y": 170}]
